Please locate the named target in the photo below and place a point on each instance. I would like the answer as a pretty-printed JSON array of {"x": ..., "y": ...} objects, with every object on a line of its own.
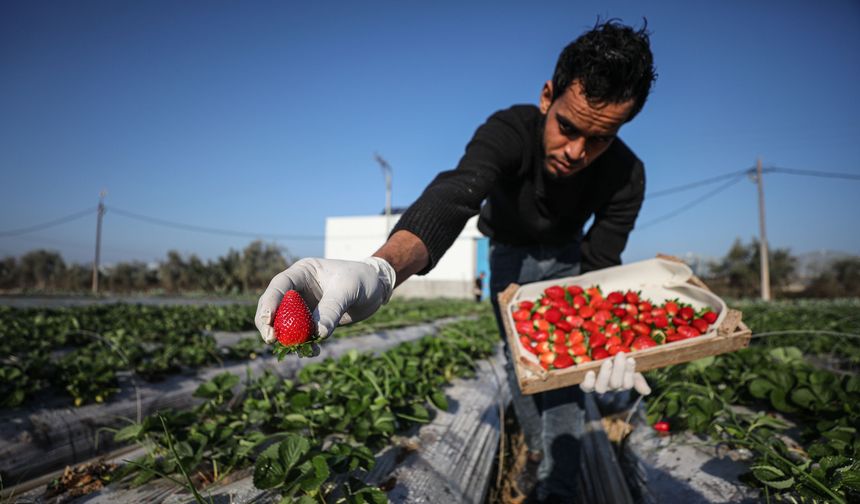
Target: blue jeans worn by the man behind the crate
[{"x": 553, "y": 422}]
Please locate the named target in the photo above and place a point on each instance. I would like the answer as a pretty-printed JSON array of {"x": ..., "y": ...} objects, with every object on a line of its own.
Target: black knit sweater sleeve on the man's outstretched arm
[{"x": 454, "y": 196}]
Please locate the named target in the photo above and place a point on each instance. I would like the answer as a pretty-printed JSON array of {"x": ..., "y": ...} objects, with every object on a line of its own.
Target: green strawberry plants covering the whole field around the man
[{"x": 789, "y": 403}]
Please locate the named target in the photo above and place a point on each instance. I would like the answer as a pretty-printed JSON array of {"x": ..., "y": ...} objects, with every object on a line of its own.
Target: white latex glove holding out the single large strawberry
[{"x": 336, "y": 291}]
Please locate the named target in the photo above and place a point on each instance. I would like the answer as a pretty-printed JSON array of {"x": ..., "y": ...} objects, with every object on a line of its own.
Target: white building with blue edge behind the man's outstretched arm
[{"x": 454, "y": 275}]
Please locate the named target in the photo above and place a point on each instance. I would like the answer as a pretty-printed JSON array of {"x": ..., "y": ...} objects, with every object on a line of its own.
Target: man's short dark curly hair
[{"x": 612, "y": 61}]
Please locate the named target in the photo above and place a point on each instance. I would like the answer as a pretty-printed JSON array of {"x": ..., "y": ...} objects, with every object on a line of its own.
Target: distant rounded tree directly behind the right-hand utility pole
[{"x": 738, "y": 273}]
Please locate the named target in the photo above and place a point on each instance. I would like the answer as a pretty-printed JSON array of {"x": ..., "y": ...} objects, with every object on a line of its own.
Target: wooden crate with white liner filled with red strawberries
[{"x": 656, "y": 310}]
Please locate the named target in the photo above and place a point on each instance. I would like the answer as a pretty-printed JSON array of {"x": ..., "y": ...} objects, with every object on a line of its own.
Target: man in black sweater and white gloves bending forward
[{"x": 541, "y": 174}]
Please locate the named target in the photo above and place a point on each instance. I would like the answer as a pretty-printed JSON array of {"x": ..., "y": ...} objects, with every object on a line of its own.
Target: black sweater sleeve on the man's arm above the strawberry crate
[{"x": 607, "y": 237}]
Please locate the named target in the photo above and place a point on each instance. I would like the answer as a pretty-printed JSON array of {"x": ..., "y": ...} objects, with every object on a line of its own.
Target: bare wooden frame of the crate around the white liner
[{"x": 731, "y": 335}]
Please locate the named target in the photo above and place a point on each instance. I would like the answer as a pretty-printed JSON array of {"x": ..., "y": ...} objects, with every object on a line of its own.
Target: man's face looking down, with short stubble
[{"x": 577, "y": 132}]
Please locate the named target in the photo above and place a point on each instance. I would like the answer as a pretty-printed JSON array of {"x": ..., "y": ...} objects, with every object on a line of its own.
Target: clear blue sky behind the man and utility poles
[{"x": 264, "y": 116}]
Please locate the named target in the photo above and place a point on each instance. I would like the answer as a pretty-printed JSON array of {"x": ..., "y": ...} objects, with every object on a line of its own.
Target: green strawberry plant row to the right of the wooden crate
[{"x": 800, "y": 422}]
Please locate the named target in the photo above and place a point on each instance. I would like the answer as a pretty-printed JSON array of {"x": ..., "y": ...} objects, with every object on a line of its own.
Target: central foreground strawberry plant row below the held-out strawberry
[{"x": 308, "y": 438}]
